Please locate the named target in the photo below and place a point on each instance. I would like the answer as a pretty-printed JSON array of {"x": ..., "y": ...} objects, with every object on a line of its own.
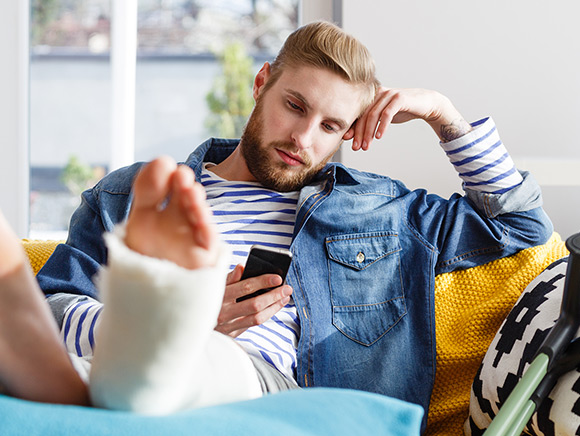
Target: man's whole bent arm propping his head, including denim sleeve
[{"x": 501, "y": 212}]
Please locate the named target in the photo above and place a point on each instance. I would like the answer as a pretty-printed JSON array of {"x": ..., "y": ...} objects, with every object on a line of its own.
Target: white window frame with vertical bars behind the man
[{"x": 15, "y": 84}]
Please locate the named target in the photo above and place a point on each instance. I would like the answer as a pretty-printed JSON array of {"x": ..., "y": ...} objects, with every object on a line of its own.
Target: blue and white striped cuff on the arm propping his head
[{"x": 482, "y": 160}]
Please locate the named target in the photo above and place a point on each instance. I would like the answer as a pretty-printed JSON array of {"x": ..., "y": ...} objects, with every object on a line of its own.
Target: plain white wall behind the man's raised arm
[{"x": 517, "y": 61}]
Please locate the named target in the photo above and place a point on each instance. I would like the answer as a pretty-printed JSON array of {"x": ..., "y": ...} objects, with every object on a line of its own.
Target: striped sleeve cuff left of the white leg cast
[{"x": 79, "y": 325}]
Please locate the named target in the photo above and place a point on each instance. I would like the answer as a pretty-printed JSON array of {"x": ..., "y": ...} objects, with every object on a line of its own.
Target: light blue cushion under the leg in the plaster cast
[{"x": 314, "y": 411}]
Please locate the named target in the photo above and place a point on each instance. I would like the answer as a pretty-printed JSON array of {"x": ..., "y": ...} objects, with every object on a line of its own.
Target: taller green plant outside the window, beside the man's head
[{"x": 230, "y": 99}]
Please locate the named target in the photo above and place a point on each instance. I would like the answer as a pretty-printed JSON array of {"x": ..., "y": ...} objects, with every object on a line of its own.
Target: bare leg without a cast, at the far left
[{"x": 33, "y": 362}]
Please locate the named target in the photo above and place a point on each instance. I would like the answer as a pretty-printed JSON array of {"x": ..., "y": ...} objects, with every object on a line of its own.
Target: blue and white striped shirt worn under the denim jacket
[{"x": 246, "y": 213}]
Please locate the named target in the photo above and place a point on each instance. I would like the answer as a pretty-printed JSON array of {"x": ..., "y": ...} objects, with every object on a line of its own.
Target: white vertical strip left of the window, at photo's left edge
[{"x": 14, "y": 114}]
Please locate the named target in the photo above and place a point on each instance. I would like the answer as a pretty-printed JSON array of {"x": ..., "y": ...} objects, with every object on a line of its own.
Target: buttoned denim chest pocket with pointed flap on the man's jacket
[{"x": 366, "y": 285}]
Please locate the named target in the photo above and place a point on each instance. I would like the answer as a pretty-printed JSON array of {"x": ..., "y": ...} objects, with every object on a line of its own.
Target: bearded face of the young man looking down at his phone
[{"x": 297, "y": 125}]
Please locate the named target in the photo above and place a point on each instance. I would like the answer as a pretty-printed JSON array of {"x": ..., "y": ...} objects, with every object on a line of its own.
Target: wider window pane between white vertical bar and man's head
[{"x": 178, "y": 42}]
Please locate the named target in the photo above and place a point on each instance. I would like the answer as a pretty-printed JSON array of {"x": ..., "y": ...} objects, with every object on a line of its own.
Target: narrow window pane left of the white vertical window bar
[{"x": 69, "y": 104}]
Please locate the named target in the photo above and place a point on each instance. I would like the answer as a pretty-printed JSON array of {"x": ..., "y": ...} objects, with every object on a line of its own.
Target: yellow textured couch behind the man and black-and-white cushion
[{"x": 469, "y": 308}]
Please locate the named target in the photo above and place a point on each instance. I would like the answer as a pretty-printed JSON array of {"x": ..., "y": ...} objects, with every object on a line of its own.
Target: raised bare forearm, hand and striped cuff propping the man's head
[{"x": 479, "y": 156}]
